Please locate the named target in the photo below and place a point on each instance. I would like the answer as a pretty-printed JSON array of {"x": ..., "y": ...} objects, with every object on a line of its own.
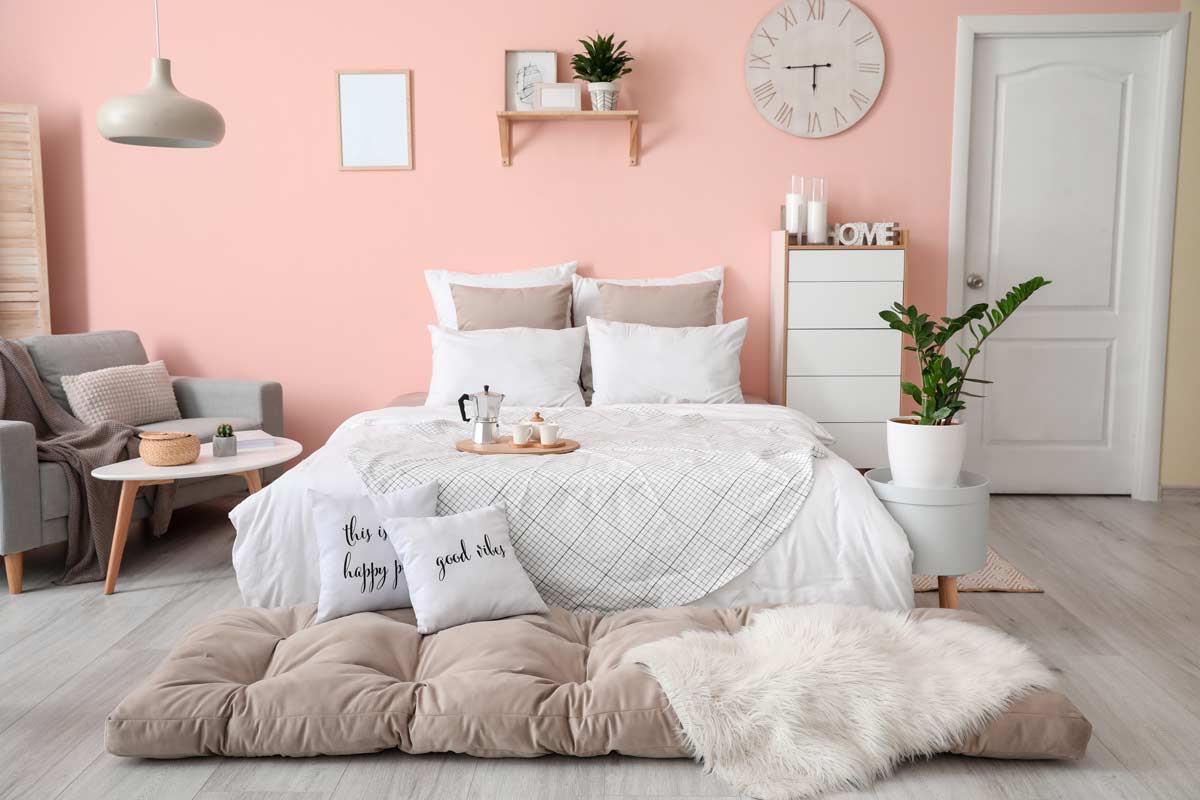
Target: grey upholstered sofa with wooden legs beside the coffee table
[{"x": 34, "y": 496}]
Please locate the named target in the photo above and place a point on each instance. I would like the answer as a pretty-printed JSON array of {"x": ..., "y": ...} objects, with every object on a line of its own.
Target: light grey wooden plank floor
[{"x": 1120, "y": 619}]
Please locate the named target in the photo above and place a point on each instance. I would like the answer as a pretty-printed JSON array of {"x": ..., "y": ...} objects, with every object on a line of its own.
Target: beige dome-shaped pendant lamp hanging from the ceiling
[{"x": 160, "y": 116}]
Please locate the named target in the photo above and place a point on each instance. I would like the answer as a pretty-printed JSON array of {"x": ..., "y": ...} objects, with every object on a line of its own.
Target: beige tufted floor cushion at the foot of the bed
[{"x": 268, "y": 682}]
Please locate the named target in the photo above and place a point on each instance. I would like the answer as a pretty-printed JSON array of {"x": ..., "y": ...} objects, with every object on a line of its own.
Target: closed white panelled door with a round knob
[{"x": 1066, "y": 137}]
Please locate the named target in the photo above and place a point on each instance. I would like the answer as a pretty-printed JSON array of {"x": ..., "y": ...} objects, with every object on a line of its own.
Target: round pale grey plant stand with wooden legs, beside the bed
[{"x": 947, "y": 530}]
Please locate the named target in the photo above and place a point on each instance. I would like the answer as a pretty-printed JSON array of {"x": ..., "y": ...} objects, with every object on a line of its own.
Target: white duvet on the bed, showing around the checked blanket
[{"x": 842, "y": 548}]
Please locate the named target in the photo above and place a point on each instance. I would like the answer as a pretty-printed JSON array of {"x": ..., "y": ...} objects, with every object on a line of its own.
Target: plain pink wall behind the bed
[{"x": 260, "y": 258}]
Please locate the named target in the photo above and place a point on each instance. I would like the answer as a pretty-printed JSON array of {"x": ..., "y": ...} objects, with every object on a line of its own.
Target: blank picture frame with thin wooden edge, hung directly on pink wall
[{"x": 375, "y": 119}]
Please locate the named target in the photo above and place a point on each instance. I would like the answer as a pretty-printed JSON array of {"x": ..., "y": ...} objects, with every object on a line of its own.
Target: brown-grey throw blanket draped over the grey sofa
[{"x": 79, "y": 449}]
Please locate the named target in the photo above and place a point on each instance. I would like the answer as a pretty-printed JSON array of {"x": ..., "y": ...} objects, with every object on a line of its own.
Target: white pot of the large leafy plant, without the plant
[{"x": 926, "y": 456}]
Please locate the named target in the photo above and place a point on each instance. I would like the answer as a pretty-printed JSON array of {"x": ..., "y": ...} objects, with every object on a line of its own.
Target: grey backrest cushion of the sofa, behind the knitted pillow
[{"x": 73, "y": 354}]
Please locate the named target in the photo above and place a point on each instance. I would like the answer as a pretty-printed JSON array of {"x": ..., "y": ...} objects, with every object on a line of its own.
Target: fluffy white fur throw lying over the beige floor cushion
[{"x": 815, "y": 699}]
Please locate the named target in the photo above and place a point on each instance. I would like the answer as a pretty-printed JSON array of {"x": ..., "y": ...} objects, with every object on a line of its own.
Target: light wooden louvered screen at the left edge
[{"x": 25, "y": 291}]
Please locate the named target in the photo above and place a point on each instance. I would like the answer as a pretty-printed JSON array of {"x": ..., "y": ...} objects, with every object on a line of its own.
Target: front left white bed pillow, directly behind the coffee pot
[{"x": 530, "y": 366}]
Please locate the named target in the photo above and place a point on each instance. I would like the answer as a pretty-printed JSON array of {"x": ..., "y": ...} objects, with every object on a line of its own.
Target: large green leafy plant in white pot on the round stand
[{"x": 926, "y": 450}]
